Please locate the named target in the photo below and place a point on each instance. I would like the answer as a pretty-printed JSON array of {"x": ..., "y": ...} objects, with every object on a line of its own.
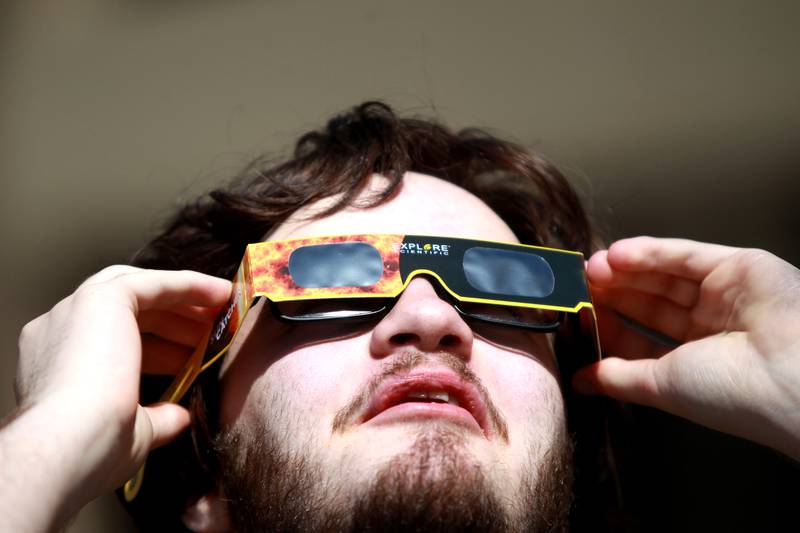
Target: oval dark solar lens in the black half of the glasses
[{"x": 508, "y": 272}]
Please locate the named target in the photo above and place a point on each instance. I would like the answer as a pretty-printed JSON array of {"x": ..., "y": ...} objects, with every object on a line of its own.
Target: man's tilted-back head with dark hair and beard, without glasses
[{"x": 338, "y": 426}]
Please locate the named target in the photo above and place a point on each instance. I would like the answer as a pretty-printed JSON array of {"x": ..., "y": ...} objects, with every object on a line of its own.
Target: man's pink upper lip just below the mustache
[{"x": 395, "y": 390}]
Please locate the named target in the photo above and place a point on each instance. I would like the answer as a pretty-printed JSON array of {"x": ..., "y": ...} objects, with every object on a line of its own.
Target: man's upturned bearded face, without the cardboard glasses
[{"x": 416, "y": 420}]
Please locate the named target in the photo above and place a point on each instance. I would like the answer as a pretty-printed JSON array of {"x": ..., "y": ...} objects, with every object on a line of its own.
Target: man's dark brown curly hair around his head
[{"x": 210, "y": 235}]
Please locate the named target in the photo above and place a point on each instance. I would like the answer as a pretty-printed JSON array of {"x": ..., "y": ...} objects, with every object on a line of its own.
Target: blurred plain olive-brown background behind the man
[{"x": 671, "y": 118}]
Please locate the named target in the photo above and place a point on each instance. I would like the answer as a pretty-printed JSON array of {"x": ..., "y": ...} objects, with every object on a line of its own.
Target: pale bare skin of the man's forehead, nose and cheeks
[{"x": 316, "y": 381}]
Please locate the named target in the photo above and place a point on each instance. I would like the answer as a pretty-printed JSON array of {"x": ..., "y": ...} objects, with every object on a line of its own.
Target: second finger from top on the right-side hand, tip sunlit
[{"x": 680, "y": 290}]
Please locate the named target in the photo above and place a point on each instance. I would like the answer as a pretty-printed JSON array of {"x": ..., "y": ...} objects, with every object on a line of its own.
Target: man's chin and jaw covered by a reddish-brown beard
[{"x": 402, "y": 477}]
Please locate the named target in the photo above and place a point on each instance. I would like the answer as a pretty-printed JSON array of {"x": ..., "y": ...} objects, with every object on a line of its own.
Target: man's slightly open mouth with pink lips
[{"x": 428, "y": 394}]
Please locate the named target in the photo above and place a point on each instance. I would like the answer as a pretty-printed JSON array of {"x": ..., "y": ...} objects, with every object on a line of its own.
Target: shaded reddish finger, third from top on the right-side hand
[{"x": 657, "y": 313}]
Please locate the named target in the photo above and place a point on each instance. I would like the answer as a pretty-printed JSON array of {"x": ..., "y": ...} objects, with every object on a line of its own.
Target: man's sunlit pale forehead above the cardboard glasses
[{"x": 423, "y": 205}]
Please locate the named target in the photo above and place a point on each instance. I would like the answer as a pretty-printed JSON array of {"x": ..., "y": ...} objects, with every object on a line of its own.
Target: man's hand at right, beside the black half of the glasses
[{"x": 734, "y": 314}]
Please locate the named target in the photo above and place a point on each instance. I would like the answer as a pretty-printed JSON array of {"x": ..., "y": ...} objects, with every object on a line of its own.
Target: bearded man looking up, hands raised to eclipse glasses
[{"x": 284, "y": 428}]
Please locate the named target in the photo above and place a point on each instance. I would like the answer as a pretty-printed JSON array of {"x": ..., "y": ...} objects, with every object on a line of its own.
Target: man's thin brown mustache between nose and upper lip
[{"x": 405, "y": 362}]
